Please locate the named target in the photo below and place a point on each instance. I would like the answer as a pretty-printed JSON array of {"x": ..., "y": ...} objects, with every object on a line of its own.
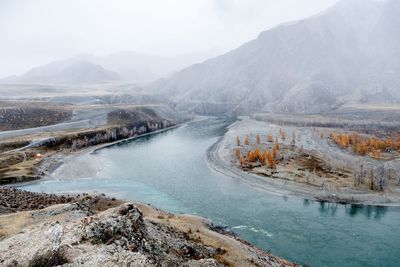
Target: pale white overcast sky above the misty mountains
[{"x": 34, "y": 32}]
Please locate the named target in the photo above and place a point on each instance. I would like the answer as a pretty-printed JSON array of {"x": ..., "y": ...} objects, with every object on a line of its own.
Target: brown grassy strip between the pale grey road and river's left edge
[{"x": 19, "y": 162}]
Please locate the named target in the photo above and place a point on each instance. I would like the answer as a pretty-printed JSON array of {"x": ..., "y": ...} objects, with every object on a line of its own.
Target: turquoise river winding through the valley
[{"x": 170, "y": 171}]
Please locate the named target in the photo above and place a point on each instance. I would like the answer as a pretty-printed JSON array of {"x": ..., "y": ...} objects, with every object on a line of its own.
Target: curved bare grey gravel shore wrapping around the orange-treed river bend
[{"x": 220, "y": 158}]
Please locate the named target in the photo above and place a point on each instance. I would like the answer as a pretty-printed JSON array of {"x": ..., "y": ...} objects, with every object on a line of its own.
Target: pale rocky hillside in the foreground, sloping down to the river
[{"x": 98, "y": 231}]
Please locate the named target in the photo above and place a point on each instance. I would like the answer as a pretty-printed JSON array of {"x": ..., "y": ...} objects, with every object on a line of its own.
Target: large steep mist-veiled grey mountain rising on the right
[{"x": 349, "y": 53}]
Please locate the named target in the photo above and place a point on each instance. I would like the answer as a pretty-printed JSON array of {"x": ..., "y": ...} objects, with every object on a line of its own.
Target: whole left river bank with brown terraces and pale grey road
[{"x": 31, "y": 137}]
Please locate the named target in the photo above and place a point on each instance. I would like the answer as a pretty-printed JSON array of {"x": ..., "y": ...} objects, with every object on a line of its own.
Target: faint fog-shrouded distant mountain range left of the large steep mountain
[{"x": 121, "y": 66}]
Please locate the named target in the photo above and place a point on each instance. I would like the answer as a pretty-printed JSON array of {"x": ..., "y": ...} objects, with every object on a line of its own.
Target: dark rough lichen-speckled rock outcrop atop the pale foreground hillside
[{"x": 126, "y": 229}]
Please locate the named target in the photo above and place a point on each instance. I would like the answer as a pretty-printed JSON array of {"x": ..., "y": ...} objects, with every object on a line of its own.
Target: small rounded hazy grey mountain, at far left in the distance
[{"x": 67, "y": 72}]
